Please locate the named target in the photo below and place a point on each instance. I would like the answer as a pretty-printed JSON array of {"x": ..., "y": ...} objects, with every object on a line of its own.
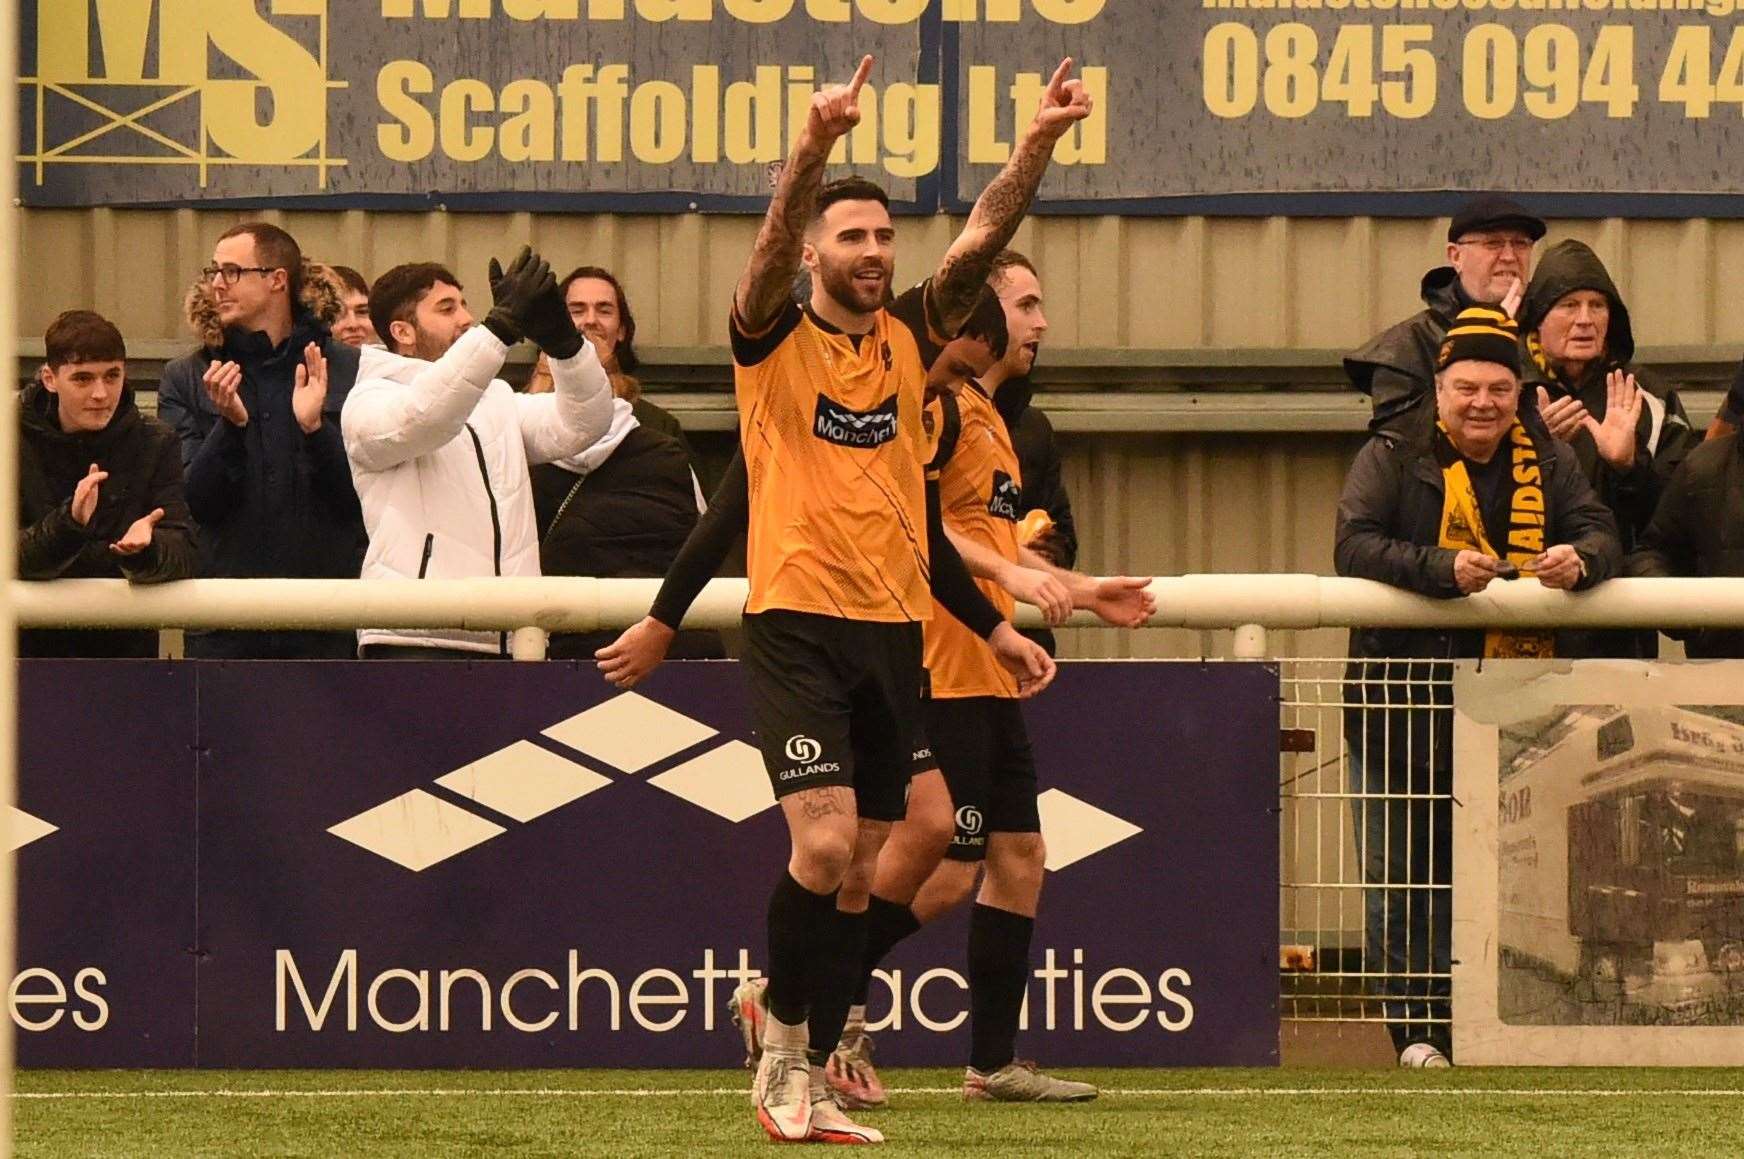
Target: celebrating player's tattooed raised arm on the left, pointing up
[{"x": 768, "y": 280}]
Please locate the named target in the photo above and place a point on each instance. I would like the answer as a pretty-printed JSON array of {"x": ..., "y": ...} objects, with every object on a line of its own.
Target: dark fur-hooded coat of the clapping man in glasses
[{"x": 269, "y": 501}]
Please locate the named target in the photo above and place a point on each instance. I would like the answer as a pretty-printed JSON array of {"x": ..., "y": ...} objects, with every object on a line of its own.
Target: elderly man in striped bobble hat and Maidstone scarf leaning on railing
[{"x": 1469, "y": 498}]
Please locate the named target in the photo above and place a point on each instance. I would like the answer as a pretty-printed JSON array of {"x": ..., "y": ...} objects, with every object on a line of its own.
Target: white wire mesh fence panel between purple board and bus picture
[{"x": 1366, "y": 803}]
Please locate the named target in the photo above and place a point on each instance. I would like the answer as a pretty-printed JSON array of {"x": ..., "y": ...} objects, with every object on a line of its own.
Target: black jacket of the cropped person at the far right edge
[{"x": 1700, "y": 531}]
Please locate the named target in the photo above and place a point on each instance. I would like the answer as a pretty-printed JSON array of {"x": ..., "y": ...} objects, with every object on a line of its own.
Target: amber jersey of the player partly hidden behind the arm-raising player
[{"x": 981, "y": 498}]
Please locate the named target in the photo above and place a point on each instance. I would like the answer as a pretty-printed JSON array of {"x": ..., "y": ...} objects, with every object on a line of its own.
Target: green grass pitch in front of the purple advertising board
[{"x": 1546, "y": 1115}]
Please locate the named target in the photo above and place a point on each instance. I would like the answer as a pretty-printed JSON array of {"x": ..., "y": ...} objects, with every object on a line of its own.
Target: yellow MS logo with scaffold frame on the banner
[{"x": 181, "y": 83}]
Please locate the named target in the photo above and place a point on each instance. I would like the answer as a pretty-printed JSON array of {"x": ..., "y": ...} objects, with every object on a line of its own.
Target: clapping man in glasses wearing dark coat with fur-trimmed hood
[{"x": 257, "y": 412}]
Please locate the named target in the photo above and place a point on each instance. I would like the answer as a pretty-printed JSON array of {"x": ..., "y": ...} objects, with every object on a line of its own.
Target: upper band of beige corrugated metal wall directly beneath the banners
[{"x": 1166, "y": 283}]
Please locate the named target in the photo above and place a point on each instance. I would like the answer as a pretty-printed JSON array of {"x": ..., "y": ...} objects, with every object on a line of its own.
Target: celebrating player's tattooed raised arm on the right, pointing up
[{"x": 1005, "y": 201}]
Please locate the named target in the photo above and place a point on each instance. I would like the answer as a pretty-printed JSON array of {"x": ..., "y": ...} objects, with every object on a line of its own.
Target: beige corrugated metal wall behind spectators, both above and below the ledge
[{"x": 1147, "y": 503}]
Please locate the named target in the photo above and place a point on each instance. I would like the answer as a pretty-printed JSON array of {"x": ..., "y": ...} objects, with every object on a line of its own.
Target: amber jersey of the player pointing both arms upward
[{"x": 835, "y": 452}]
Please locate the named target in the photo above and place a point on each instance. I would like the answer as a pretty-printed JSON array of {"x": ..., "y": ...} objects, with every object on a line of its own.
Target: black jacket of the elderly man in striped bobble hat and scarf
[{"x": 1389, "y": 527}]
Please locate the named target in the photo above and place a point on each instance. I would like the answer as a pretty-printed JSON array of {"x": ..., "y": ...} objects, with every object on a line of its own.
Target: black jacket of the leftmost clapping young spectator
[{"x": 144, "y": 473}]
